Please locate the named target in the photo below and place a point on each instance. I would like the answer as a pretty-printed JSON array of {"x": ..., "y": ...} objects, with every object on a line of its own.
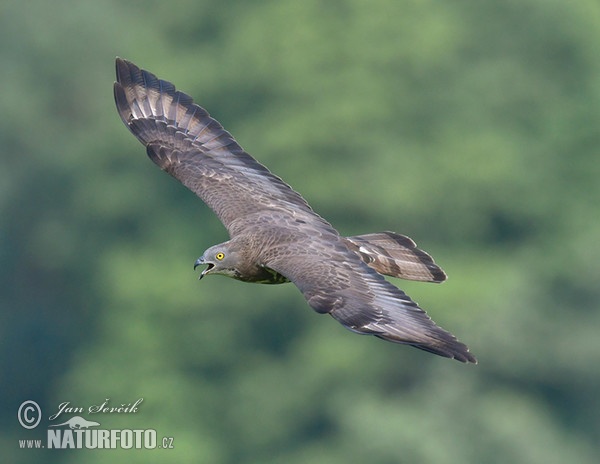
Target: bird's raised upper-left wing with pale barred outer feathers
[{"x": 183, "y": 140}]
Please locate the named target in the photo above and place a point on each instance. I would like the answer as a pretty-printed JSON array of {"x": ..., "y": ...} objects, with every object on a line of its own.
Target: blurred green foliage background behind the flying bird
[{"x": 472, "y": 126}]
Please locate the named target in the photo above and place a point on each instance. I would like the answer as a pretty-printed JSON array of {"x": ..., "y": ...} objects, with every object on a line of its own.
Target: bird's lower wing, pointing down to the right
[{"x": 335, "y": 280}]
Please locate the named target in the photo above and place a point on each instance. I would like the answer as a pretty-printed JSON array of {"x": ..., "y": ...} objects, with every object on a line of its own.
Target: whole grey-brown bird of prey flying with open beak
[{"x": 275, "y": 236}]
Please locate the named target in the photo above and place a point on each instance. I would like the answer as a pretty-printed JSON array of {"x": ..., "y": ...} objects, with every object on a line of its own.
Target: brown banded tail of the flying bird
[{"x": 396, "y": 255}]
